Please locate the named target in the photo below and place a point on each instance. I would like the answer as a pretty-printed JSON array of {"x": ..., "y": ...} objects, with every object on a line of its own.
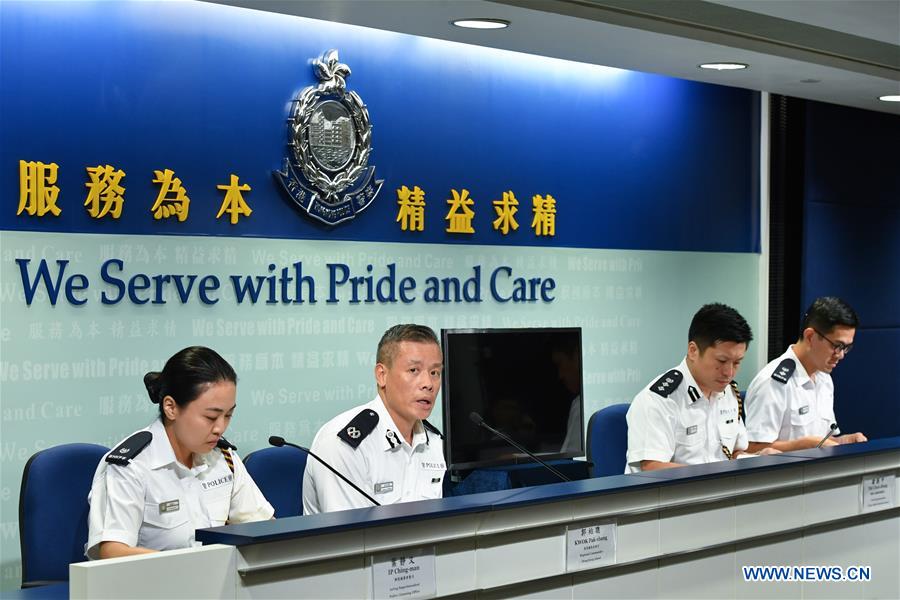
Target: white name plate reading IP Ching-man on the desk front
[{"x": 407, "y": 573}]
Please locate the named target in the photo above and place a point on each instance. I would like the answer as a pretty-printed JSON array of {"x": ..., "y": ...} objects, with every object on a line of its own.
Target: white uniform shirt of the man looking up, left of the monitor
[{"x": 384, "y": 465}]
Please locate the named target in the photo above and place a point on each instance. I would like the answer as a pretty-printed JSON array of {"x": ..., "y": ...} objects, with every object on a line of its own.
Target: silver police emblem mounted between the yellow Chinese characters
[{"x": 326, "y": 171}]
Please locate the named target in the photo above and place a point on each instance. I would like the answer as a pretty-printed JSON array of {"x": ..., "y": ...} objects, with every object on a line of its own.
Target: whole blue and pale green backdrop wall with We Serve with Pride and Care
[{"x": 142, "y": 213}]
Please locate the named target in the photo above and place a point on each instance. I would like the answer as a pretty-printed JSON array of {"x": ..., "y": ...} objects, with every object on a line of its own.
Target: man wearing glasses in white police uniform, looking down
[{"x": 790, "y": 403}]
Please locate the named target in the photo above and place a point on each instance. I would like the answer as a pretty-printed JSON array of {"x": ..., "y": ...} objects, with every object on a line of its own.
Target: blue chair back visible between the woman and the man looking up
[{"x": 278, "y": 472}]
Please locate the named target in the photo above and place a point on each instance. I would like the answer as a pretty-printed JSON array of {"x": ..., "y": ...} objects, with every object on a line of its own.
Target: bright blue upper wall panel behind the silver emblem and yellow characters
[{"x": 635, "y": 161}]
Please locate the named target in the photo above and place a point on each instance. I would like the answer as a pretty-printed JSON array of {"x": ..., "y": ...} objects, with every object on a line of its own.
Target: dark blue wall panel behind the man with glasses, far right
[{"x": 852, "y": 250}]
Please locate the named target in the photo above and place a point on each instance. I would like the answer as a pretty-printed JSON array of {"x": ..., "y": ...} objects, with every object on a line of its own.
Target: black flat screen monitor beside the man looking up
[{"x": 525, "y": 382}]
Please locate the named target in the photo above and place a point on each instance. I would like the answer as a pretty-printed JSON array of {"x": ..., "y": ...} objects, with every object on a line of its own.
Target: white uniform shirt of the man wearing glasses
[{"x": 787, "y": 411}]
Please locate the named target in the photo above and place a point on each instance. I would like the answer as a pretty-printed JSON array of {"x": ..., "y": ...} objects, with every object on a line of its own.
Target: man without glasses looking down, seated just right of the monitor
[{"x": 691, "y": 414}]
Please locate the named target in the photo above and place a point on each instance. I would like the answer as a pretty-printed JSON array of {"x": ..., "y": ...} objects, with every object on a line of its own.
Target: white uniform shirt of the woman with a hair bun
[{"x": 156, "y": 502}]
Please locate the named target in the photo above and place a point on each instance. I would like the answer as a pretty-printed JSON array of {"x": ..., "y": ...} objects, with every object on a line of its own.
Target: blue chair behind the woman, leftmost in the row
[{"x": 53, "y": 510}]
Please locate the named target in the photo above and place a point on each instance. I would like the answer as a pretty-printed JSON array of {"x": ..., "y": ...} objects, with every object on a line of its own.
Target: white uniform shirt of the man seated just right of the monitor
[{"x": 682, "y": 427}]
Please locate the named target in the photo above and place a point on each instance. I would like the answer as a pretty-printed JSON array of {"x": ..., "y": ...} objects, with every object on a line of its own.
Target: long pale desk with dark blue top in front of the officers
[{"x": 678, "y": 533}]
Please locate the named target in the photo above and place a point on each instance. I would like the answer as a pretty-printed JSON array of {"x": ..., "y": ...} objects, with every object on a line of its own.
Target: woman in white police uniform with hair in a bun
[{"x": 179, "y": 474}]
